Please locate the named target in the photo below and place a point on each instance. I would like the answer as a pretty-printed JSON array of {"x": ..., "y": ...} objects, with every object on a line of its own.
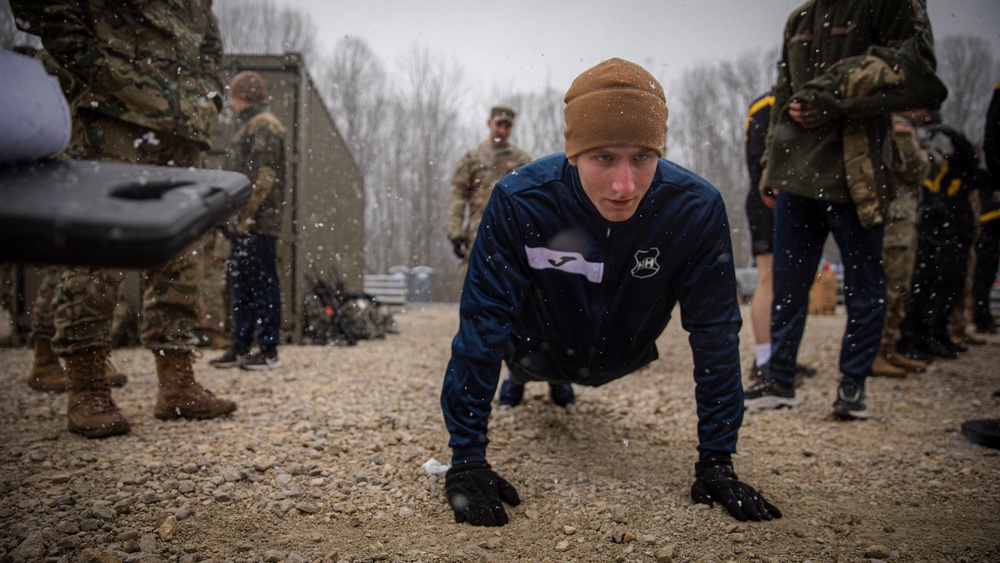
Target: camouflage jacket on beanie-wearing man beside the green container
[{"x": 258, "y": 150}]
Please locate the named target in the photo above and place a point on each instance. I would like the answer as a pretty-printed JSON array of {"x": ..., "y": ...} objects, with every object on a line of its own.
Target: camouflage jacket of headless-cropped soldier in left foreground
[{"x": 151, "y": 63}]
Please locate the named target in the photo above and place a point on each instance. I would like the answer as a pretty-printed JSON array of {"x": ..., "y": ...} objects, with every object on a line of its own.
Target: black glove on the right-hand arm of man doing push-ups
[{"x": 715, "y": 480}]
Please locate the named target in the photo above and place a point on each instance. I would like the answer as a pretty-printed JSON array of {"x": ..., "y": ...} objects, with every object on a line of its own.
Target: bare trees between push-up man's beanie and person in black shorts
[{"x": 708, "y": 115}]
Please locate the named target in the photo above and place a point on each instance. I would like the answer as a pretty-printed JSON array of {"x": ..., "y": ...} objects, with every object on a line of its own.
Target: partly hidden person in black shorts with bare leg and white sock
[{"x": 760, "y": 217}]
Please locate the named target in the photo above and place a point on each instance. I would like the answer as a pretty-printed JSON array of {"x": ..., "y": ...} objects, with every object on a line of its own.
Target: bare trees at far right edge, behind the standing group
[{"x": 967, "y": 65}]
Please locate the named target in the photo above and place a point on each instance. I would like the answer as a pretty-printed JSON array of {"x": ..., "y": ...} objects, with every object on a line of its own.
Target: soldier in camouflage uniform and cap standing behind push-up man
[{"x": 473, "y": 178}]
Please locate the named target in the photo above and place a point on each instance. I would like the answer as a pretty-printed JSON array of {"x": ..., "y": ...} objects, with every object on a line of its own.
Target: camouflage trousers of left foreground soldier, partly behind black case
[{"x": 85, "y": 299}]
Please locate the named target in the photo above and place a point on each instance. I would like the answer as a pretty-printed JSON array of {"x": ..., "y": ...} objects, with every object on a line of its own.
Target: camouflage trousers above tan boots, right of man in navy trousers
[{"x": 899, "y": 252}]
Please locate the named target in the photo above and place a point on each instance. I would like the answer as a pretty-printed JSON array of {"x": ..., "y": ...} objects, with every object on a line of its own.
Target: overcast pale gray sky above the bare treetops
[{"x": 519, "y": 45}]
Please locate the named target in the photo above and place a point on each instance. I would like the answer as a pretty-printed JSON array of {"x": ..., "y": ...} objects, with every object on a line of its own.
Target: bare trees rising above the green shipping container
[{"x": 260, "y": 26}]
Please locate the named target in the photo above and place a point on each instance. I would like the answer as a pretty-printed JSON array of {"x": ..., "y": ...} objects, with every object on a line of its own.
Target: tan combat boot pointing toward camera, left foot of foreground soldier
[{"x": 90, "y": 410}]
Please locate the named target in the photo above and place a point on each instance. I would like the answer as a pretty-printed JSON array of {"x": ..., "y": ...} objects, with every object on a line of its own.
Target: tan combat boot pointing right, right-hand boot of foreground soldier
[{"x": 180, "y": 395}]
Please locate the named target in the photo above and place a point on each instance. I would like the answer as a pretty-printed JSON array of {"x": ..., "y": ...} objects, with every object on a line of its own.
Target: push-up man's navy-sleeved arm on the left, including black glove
[{"x": 491, "y": 298}]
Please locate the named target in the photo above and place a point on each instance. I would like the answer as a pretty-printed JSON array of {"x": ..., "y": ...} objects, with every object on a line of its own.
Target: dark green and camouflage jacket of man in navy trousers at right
[{"x": 858, "y": 60}]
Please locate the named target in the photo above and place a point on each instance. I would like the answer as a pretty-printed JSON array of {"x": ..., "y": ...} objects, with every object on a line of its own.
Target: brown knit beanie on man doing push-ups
[{"x": 615, "y": 103}]
